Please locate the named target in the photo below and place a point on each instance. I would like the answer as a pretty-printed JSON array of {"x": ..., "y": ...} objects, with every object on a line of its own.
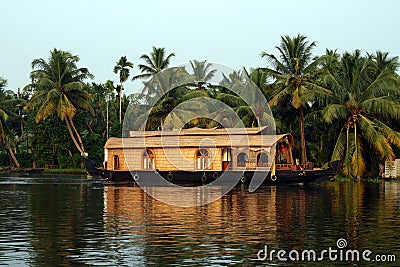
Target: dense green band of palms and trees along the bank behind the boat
[{"x": 337, "y": 106}]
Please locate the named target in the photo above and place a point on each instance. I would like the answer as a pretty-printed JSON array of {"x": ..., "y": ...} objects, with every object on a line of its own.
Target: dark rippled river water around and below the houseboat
[{"x": 76, "y": 222}]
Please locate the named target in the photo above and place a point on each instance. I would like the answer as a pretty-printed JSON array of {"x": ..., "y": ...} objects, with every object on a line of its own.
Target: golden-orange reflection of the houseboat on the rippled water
[{"x": 201, "y": 235}]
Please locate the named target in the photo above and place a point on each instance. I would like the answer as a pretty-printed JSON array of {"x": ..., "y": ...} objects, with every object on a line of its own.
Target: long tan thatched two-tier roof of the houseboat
[{"x": 196, "y": 137}]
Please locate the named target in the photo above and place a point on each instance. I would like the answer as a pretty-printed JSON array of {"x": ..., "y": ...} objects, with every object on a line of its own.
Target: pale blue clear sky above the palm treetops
[{"x": 231, "y": 33}]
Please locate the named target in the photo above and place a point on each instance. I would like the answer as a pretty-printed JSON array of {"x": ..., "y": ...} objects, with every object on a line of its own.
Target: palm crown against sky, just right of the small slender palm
[{"x": 154, "y": 63}]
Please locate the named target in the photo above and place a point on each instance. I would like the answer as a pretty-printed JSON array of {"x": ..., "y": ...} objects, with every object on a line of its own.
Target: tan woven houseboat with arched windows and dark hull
[{"x": 195, "y": 155}]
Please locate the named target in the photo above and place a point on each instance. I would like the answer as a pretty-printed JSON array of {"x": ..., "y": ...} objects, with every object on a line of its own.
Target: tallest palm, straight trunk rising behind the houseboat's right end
[{"x": 294, "y": 73}]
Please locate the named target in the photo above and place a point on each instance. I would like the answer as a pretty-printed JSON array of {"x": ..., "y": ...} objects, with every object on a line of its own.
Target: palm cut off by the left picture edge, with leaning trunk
[{"x": 6, "y": 115}]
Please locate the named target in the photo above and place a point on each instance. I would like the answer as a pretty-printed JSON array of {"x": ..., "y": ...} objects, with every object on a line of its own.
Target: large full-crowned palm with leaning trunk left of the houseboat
[{"x": 60, "y": 90}]
